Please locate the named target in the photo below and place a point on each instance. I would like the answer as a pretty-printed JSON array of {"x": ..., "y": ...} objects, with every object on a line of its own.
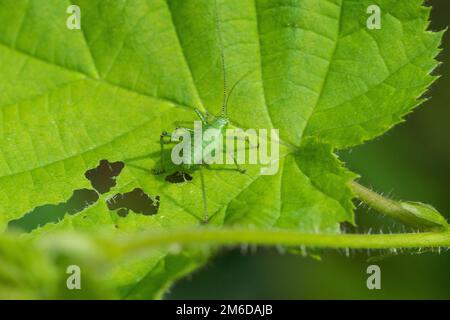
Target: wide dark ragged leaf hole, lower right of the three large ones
[{"x": 137, "y": 201}]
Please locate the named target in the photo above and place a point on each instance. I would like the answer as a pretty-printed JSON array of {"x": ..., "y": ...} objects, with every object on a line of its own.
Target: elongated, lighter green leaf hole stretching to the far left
[{"x": 53, "y": 213}]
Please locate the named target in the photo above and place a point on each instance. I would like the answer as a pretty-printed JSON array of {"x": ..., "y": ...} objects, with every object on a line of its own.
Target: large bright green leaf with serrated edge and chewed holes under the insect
[{"x": 70, "y": 98}]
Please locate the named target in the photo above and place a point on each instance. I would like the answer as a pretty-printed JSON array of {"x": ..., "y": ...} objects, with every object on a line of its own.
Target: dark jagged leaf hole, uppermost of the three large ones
[{"x": 103, "y": 177}]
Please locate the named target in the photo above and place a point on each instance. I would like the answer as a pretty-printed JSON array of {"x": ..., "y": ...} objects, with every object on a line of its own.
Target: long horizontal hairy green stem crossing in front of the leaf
[{"x": 232, "y": 236}]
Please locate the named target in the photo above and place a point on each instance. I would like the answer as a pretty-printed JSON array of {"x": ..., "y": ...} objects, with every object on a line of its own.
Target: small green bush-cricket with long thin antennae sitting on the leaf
[{"x": 219, "y": 123}]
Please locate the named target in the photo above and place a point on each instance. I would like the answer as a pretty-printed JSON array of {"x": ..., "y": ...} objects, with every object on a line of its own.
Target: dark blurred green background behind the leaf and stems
[{"x": 411, "y": 162}]
